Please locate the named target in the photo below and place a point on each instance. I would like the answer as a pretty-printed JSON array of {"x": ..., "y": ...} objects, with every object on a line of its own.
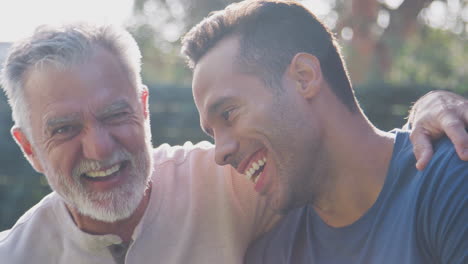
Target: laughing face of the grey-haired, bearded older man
[{"x": 90, "y": 136}]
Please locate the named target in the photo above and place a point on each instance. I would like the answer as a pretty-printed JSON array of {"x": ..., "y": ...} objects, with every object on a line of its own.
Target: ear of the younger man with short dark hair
[{"x": 305, "y": 70}]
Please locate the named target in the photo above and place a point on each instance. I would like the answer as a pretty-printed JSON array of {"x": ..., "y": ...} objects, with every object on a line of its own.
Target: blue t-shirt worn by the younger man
[{"x": 419, "y": 217}]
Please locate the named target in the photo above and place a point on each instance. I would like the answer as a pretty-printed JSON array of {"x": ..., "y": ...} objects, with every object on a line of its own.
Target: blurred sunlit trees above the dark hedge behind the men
[{"x": 408, "y": 50}]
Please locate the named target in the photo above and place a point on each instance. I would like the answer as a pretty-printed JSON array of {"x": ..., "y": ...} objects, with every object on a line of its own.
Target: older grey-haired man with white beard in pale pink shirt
[{"x": 81, "y": 118}]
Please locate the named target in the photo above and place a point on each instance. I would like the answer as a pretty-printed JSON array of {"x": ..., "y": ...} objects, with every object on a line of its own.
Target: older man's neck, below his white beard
[{"x": 123, "y": 228}]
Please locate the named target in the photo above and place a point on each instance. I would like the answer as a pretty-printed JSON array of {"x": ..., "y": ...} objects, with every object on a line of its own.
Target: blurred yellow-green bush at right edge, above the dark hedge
[{"x": 434, "y": 57}]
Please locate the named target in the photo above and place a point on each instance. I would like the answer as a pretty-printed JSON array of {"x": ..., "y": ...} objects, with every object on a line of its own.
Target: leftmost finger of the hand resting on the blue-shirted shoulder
[{"x": 422, "y": 147}]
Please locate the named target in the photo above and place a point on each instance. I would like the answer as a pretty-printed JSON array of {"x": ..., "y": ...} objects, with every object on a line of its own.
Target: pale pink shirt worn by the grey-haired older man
[{"x": 198, "y": 213}]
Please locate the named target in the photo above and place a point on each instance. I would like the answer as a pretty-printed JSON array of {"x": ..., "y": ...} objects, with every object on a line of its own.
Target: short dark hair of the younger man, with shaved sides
[{"x": 271, "y": 33}]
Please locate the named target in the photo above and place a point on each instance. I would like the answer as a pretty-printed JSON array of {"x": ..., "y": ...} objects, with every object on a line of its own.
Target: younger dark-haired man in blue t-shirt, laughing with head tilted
[{"x": 272, "y": 90}]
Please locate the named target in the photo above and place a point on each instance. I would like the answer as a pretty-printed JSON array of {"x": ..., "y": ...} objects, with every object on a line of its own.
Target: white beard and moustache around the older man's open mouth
[{"x": 110, "y": 206}]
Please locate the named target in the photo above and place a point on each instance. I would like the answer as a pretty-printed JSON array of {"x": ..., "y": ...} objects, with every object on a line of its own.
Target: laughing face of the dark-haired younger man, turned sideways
[{"x": 257, "y": 129}]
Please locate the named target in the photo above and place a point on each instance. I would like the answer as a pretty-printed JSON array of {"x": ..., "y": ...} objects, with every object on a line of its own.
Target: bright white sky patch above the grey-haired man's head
[{"x": 18, "y": 18}]
